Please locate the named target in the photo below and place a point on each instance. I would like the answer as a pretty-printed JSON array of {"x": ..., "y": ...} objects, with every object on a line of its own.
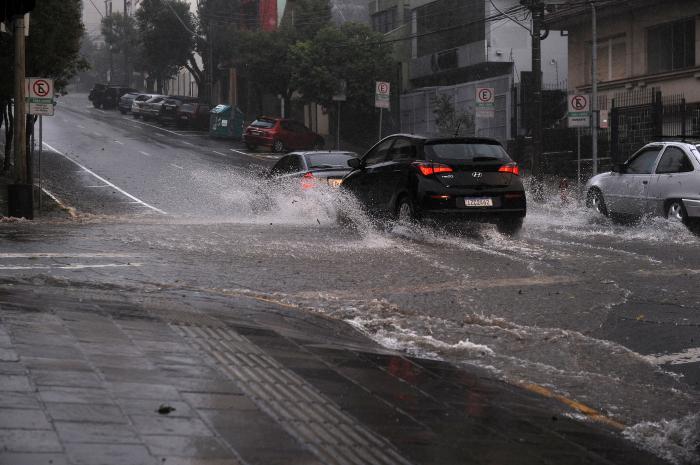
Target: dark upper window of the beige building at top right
[{"x": 671, "y": 46}]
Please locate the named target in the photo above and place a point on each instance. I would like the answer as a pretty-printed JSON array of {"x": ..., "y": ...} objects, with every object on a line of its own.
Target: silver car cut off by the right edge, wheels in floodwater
[{"x": 662, "y": 179}]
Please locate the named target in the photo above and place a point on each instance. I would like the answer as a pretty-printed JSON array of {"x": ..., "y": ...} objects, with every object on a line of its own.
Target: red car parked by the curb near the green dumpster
[{"x": 280, "y": 135}]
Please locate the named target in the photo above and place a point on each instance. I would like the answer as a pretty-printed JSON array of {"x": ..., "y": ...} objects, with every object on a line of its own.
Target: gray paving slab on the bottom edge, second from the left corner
[{"x": 110, "y": 454}]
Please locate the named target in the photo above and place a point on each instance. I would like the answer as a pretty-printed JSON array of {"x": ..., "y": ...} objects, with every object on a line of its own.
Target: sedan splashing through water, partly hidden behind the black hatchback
[{"x": 309, "y": 169}]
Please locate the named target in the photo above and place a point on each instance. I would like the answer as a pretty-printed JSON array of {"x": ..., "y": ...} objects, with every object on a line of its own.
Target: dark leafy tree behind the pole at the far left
[{"x": 53, "y": 48}]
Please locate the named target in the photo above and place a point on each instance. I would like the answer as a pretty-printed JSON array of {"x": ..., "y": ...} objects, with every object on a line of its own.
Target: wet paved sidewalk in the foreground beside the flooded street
[{"x": 101, "y": 377}]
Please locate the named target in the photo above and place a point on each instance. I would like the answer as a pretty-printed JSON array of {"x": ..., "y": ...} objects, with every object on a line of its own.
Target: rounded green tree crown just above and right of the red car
[{"x": 352, "y": 52}]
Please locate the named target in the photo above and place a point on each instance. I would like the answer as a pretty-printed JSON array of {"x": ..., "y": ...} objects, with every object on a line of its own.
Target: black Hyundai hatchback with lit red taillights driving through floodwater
[{"x": 445, "y": 179}]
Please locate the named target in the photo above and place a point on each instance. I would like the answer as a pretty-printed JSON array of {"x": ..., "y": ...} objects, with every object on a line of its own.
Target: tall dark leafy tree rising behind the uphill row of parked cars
[{"x": 166, "y": 38}]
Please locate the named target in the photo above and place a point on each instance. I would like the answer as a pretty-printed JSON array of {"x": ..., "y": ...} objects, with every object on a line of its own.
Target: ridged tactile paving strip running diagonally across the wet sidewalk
[{"x": 307, "y": 415}]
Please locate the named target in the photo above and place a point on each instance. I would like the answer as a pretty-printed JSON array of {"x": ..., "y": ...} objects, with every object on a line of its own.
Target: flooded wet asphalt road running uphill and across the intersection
[{"x": 605, "y": 314}]
